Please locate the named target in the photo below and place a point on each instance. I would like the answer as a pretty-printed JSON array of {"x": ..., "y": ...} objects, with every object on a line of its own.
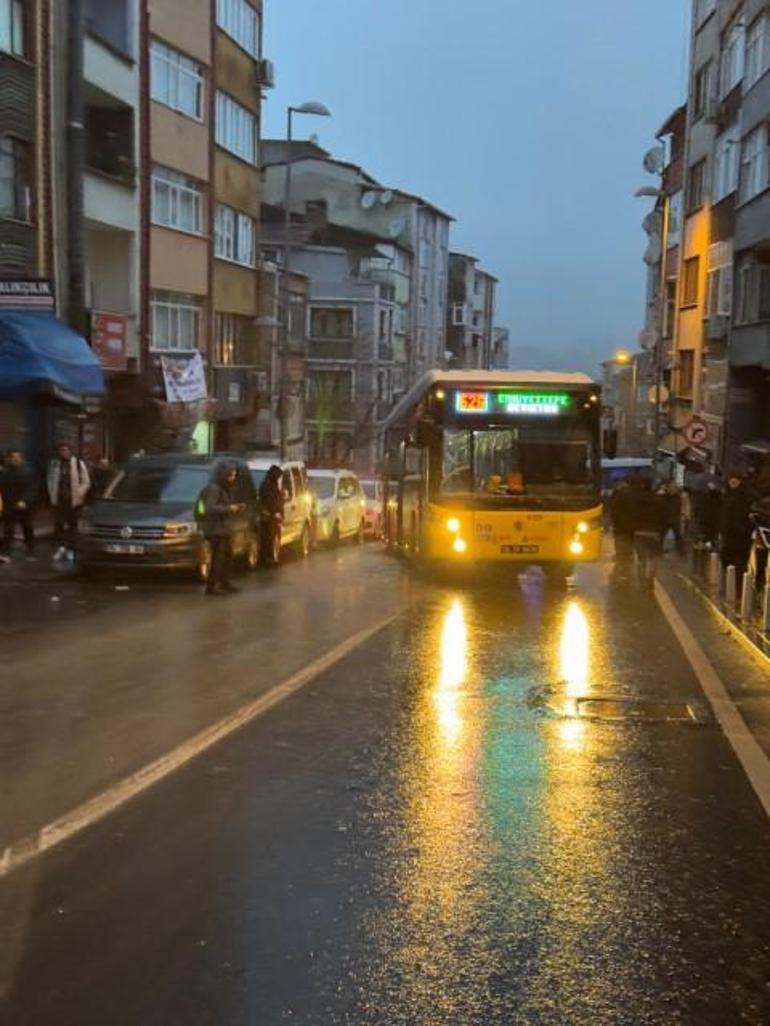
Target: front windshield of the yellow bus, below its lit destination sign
[{"x": 525, "y": 460}]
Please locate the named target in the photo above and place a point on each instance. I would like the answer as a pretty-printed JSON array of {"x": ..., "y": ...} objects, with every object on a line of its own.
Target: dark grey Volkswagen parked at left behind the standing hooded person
[{"x": 147, "y": 518}]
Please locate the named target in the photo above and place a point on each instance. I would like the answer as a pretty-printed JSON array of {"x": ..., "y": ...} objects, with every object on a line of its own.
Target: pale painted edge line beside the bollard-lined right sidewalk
[{"x": 752, "y": 758}]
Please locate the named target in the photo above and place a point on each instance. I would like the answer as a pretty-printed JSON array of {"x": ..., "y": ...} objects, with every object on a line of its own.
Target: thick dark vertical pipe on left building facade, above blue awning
[{"x": 75, "y": 168}]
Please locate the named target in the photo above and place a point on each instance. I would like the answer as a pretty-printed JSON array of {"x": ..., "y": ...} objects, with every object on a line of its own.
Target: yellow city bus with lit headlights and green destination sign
[{"x": 496, "y": 466}]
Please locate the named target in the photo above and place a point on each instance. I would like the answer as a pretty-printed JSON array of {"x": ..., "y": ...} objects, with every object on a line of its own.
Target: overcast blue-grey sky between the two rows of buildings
[{"x": 525, "y": 121}]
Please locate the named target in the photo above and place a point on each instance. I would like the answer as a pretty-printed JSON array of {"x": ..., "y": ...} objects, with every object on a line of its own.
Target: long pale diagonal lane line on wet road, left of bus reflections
[{"x": 62, "y": 830}]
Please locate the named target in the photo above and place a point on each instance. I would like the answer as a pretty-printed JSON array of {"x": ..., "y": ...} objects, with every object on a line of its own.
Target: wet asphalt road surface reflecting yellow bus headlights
[{"x": 445, "y": 830}]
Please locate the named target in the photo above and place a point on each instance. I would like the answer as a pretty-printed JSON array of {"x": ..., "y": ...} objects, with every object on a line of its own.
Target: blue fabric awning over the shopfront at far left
[{"x": 42, "y": 356}]
